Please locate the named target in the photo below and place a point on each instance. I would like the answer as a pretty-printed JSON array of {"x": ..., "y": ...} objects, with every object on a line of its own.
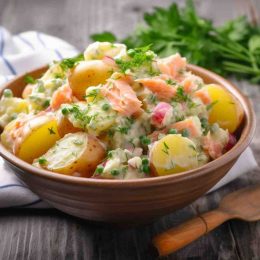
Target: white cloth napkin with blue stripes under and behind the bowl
[{"x": 26, "y": 51}]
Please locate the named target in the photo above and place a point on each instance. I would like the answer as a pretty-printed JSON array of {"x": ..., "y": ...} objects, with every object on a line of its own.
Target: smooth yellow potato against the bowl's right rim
[{"x": 225, "y": 109}]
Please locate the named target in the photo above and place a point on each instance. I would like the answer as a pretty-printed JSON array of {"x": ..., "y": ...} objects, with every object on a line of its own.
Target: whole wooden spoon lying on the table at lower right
[{"x": 243, "y": 204}]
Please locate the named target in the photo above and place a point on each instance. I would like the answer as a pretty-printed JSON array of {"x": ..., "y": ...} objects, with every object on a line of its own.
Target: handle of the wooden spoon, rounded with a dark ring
[{"x": 178, "y": 237}]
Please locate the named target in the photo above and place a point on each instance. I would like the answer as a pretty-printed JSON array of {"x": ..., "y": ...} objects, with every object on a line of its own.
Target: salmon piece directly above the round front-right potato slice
[{"x": 192, "y": 124}]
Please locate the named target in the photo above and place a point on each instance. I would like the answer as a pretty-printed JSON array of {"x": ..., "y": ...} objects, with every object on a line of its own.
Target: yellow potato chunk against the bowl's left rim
[{"x": 31, "y": 137}]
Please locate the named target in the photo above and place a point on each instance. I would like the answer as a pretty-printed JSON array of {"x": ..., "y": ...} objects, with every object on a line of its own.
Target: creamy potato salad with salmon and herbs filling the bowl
[{"x": 114, "y": 113}]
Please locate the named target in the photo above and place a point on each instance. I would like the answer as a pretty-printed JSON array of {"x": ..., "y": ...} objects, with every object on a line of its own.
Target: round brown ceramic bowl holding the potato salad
[{"x": 131, "y": 201}]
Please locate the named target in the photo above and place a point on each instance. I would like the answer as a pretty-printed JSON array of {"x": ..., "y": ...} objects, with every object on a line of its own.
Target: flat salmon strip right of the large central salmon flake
[{"x": 159, "y": 86}]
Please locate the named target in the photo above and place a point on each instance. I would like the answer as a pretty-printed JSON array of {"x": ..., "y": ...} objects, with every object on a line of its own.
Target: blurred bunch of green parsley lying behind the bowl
[{"x": 233, "y": 48}]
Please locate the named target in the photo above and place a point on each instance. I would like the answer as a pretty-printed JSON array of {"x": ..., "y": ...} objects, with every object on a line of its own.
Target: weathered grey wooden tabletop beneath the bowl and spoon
[{"x": 49, "y": 234}]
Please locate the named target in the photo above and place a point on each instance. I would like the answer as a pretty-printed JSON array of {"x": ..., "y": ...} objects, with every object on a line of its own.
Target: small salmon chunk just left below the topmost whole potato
[{"x": 61, "y": 96}]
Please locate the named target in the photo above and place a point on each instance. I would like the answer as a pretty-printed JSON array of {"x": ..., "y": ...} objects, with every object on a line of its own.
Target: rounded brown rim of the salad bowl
[{"x": 244, "y": 140}]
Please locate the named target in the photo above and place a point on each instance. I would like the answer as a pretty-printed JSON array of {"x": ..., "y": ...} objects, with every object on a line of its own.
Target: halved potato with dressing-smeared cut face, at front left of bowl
[{"x": 74, "y": 153}]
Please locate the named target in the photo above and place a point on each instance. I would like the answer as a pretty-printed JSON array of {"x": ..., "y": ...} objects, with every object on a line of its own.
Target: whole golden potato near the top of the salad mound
[{"x": 86, "y": 74}]
